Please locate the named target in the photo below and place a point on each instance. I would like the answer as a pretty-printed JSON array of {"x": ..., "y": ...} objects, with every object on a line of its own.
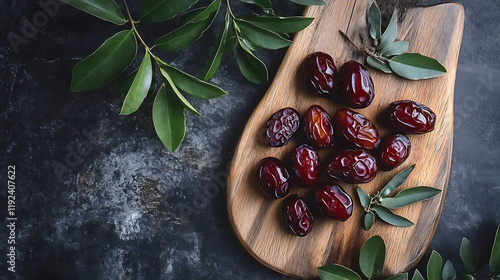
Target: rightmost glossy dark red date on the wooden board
[{"x": 411, "y": 117}]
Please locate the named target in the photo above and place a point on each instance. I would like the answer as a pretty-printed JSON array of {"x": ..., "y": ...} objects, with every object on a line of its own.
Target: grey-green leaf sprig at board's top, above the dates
[{"x": 389, "y": 55}]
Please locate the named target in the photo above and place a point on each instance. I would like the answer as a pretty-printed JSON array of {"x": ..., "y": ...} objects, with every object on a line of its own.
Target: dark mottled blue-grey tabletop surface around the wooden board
[{"x": 115, "y": 213}]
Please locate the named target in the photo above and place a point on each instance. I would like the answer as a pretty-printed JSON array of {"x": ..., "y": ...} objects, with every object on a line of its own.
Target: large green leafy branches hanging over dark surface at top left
[{"x": 116, "y": 54}]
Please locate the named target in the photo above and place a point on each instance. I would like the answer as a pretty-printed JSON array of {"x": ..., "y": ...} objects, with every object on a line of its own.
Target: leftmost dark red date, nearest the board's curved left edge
[{"x": 273, "y": 177}]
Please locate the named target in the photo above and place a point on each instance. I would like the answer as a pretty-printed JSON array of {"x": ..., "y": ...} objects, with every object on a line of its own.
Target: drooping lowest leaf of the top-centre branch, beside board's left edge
[{"x": 250, "y": 66}]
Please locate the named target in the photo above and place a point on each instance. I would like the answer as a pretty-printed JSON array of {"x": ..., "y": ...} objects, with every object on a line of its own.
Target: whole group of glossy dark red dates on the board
[{"x": 358, "y": 152}]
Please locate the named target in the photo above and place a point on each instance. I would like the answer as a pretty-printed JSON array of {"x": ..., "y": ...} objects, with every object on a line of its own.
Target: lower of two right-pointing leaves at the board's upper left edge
[{"x": 262, "y": 37}]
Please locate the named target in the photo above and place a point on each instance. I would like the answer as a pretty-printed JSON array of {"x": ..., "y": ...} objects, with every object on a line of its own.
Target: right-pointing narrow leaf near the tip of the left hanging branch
[{"x": 191, "y": 84}]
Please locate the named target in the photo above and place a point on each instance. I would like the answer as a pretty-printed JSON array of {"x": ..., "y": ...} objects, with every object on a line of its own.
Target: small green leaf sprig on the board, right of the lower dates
[{"x": 381, "y": 204}]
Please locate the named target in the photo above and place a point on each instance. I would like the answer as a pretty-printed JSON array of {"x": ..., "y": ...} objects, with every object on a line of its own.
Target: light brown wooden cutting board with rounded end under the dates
[{"x": 433, "y": 31}]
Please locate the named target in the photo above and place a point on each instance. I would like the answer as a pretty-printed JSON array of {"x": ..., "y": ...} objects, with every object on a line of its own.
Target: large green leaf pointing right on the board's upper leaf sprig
[{"x": 414, "y": 66}]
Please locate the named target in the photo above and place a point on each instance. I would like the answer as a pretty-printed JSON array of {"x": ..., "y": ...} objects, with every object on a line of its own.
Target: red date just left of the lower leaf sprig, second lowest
[{"x": 333, "y": 201}]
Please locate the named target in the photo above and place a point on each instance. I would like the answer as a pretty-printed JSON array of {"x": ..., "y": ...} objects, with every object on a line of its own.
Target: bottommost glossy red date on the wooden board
[{"x": 297, "y": 215}]
